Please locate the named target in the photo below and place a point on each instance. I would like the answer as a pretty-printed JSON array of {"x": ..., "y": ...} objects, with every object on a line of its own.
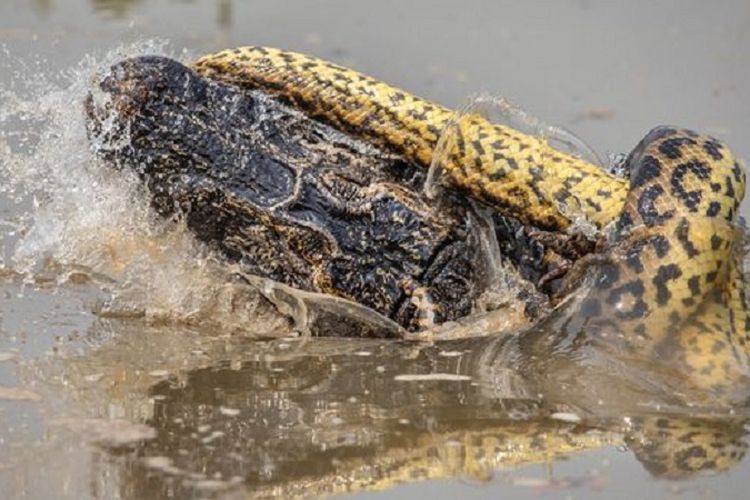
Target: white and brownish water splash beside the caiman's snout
[{"x": 64, "y": 217}]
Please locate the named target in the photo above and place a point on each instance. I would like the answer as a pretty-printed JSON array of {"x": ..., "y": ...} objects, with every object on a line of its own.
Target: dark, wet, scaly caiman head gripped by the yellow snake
[{"x": 293, "y": 200}]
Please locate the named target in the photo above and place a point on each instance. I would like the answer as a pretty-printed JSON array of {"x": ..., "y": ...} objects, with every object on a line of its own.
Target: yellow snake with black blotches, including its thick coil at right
[{"x": 674, "y": 274}]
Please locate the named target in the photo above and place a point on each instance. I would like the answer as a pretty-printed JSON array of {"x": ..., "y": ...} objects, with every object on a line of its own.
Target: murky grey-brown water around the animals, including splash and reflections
[{"x": 127, "y": 367}]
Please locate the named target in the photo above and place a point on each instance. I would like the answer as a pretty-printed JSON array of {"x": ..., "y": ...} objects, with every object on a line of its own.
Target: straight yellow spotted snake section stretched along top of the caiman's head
[{"x": 519, "y": 174}]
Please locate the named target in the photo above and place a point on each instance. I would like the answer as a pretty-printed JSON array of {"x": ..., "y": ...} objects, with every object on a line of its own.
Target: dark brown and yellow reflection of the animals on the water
[{"x": 312, "y": 417}]
